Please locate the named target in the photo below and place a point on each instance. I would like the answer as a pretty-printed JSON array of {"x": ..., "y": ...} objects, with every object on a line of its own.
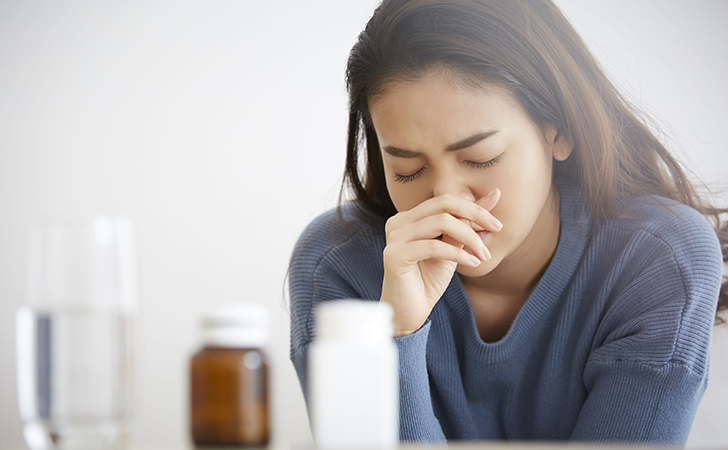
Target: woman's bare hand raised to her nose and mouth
[{"x": 424, "y": 247}]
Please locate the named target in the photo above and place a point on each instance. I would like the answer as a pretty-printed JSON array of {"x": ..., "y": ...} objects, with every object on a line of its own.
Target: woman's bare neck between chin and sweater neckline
[{"x": 518, "y": 274}]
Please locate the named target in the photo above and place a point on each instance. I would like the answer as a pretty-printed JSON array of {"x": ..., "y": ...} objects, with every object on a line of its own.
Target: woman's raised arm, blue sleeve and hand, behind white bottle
[{"x": 409, "y": 269}]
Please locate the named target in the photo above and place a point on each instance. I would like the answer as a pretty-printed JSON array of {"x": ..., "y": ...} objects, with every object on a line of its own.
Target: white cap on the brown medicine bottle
[{"x": 237, "y": 325}]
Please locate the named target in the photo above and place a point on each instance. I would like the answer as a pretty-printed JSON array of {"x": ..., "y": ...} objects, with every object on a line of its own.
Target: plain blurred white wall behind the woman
[{"x": 219, "y": 127}]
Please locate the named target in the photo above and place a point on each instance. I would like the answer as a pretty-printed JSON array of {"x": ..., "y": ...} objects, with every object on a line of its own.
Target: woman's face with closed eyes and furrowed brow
[{"x": 438, "y": 137}]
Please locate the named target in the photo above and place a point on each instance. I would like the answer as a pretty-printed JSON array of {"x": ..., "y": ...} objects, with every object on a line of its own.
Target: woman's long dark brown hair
[{"x": 529, "y": 48}]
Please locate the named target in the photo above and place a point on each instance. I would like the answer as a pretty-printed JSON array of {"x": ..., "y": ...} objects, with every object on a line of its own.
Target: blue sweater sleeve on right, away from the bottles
[{"x": 649, "y": 368}]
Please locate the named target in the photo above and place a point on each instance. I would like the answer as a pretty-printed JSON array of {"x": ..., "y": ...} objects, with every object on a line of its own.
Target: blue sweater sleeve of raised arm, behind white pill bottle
[{"x": 328, "y": 265}]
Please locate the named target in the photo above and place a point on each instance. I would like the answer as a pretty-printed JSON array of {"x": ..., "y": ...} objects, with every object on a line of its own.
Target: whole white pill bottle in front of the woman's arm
[{"x": 353, "y": 376}]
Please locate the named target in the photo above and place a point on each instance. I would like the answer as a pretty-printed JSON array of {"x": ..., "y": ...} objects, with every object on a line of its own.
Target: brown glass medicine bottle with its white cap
[{"x": 229, "y": 378}]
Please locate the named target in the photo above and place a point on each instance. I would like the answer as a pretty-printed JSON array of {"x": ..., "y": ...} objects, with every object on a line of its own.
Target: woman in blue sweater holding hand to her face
[{"x": 551, "y": 269}]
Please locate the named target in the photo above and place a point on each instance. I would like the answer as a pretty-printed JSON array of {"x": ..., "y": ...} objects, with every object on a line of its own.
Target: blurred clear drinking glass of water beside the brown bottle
[{"x": 75, "y": 335}]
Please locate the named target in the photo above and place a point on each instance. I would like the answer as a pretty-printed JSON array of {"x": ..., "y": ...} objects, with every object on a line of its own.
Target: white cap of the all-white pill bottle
[{"x": 354, "y": 320}]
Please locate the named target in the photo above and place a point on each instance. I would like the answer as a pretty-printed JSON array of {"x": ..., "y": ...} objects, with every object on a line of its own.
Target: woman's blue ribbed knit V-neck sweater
[{"x": 612, "y": 345}]
